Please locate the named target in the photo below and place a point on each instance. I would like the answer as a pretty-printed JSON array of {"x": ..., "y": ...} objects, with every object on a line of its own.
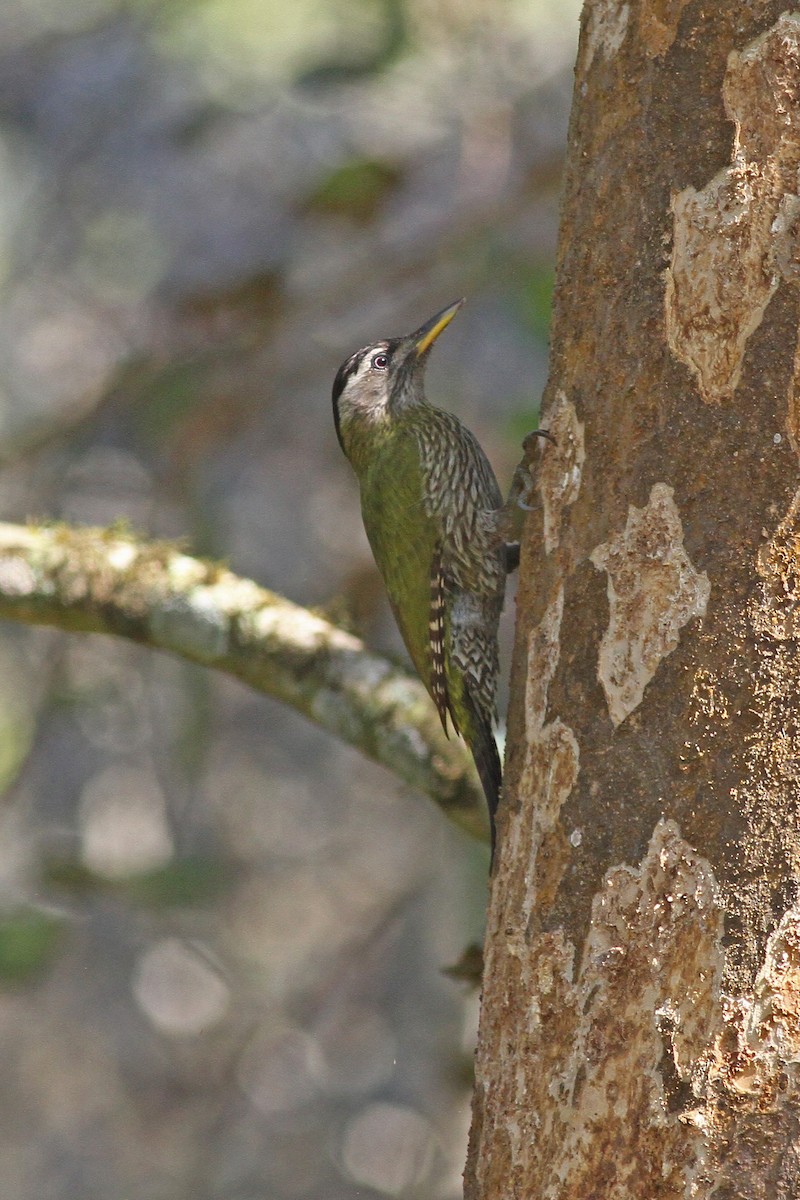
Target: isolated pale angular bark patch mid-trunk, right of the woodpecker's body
[{"x": 653, "y": 592}]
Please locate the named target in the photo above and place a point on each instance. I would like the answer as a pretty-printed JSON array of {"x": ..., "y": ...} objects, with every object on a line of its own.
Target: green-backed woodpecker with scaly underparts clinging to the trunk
[{"x": 431, "y": 508}]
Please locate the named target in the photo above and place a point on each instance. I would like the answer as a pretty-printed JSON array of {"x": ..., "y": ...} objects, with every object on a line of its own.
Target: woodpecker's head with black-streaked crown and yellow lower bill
[{"x": 378, "y": 382}]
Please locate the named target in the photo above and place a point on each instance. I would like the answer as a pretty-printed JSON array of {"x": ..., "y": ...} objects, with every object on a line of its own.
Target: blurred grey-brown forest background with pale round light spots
[{"x": 221, "y": 933}]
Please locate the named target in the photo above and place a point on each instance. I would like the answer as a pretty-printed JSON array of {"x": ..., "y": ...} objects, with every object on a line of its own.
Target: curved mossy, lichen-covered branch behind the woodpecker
[{"x": 107, "y": 581}]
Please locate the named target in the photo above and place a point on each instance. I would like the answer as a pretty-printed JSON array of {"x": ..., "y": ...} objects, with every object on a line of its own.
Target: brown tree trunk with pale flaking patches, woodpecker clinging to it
[{"x": 641, "y": 1024}]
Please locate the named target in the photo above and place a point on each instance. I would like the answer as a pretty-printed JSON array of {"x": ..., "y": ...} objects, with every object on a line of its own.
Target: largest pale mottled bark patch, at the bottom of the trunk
[{"x": 570, "y": 1064}]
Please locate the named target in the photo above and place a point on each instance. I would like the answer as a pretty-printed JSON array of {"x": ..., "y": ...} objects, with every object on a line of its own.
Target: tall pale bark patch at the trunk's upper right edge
[{"x": 733, "y": 242}]
